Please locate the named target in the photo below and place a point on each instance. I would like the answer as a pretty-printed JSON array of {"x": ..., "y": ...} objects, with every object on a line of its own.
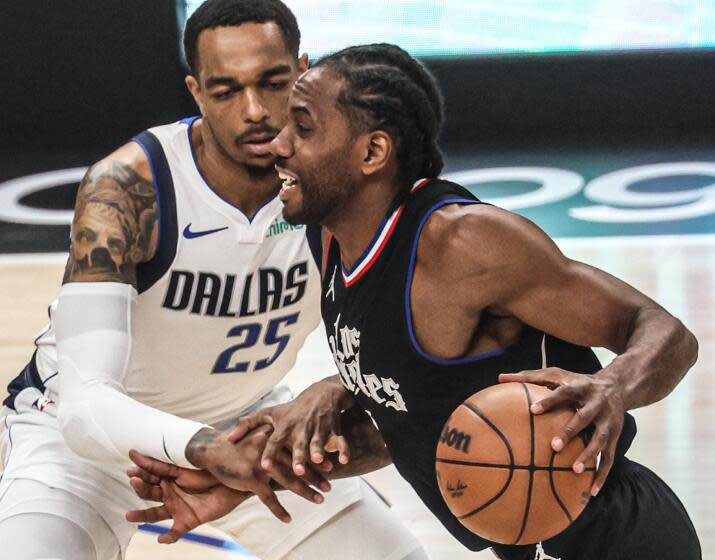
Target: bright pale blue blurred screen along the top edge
[{"x": 477, "y": 27}]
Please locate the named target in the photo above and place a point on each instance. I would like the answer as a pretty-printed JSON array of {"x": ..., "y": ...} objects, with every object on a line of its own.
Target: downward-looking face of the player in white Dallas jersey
[{"x": 245, "y": 74}]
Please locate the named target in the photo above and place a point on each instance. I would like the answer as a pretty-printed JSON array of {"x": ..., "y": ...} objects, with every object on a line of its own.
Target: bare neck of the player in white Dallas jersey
[{"x": 246, "y": 188}]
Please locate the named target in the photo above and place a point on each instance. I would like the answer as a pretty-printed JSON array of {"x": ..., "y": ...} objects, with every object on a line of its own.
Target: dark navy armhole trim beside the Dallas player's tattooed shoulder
[{"x": 149, "y": 272}]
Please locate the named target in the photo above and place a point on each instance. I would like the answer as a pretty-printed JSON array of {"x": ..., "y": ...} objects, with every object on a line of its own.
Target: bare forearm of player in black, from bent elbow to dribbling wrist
[{"x": 658, "y": 353}]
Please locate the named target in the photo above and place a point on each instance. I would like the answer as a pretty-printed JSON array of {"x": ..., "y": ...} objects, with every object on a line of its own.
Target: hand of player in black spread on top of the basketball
[{"x": 595, "y": 399}]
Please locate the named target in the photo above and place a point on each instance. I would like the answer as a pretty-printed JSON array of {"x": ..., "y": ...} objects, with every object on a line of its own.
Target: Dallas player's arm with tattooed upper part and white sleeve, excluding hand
[{"x": 114, "y": 229}]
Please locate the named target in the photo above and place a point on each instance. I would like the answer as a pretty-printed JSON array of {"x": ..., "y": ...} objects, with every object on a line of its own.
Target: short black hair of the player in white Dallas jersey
[{"x": 228, "y": 13}]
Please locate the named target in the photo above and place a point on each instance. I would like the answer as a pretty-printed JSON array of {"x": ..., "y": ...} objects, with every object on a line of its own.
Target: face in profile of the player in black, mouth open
[{"x": 316, "y": 154}]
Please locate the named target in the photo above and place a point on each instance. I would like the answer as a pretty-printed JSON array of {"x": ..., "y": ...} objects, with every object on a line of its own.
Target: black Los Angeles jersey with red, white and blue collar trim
[{"x": 409, "y": 393}]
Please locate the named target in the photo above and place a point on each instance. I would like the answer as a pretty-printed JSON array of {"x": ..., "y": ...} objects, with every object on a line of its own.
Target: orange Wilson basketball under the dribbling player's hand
[{"x": 497, "y": 472}]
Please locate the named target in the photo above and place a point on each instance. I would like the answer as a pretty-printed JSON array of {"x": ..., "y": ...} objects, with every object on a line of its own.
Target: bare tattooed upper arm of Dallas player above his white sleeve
[{"x": 114, "y": 225}]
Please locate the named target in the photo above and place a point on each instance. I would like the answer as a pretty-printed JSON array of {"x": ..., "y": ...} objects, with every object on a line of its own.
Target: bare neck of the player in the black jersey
[{"x": 355, "y": 225}]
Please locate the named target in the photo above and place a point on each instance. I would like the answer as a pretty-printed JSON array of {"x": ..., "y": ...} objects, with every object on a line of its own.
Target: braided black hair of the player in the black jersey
[{"x": 387, "y": 89}]
